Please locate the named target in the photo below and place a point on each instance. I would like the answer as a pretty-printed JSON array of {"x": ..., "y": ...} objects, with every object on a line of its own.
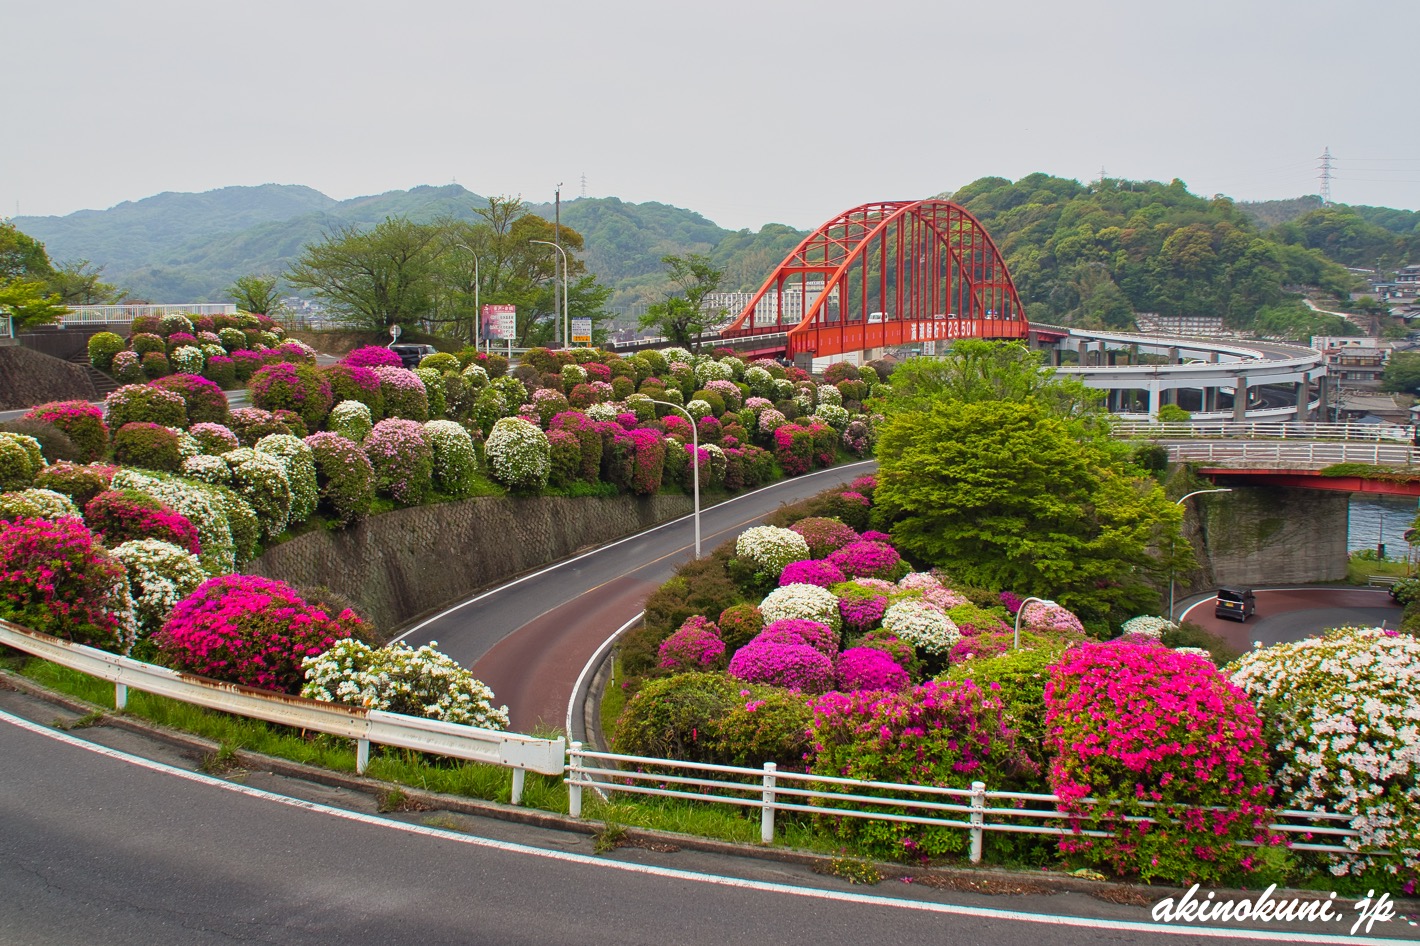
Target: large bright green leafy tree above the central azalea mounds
[{"x": 1006, "y": 495}]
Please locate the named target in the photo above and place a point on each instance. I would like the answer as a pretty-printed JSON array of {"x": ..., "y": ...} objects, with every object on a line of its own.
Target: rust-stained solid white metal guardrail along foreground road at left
[{"x": 366, "y": 727}]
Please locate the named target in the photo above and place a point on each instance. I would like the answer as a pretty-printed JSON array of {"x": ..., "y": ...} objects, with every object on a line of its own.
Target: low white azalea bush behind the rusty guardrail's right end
[{"x": 400, "y": 680}]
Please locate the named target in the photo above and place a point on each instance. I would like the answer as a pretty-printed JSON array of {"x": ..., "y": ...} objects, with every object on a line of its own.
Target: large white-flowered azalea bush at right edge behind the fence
[{"x": 1343, "y": 714}]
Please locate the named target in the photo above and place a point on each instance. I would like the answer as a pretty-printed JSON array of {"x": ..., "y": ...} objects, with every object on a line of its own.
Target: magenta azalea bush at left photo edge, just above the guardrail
[{"x": 55, "y": 579}]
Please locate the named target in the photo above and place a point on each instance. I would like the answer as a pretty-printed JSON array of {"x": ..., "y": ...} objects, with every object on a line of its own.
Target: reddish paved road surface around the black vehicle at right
[{"x": 1294, "y": 613}]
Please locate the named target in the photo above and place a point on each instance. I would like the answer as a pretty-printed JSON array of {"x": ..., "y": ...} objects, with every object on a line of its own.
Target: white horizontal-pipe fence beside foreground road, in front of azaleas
[{"x": 975, "y": 809}]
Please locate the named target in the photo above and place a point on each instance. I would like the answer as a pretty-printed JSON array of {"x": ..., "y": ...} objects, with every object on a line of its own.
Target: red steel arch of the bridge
[{"x": 885, "y": 275}]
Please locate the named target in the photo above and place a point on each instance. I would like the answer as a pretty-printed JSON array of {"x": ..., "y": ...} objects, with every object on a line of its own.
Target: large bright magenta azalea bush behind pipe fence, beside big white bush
[{"x": 1158, "y": 735}]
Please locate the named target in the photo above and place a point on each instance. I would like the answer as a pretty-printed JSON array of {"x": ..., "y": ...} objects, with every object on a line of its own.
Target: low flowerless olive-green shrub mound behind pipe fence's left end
[{"x": 711, "y": 718}]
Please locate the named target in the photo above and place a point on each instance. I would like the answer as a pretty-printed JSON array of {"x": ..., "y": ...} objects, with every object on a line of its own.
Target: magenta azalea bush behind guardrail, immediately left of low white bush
[{"x": 251, "y": 631}]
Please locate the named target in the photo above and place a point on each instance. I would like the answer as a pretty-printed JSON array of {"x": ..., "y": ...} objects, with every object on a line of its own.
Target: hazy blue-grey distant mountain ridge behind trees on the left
[{"x": 191, "y": 246}]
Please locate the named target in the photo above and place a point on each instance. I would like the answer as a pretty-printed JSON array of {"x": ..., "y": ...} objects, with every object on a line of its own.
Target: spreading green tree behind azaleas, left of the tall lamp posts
[{"x": 373, "y": 279}]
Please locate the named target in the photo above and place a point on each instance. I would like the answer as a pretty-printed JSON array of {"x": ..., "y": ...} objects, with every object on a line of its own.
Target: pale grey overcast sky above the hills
[{"x": 748, "y": 113}]
